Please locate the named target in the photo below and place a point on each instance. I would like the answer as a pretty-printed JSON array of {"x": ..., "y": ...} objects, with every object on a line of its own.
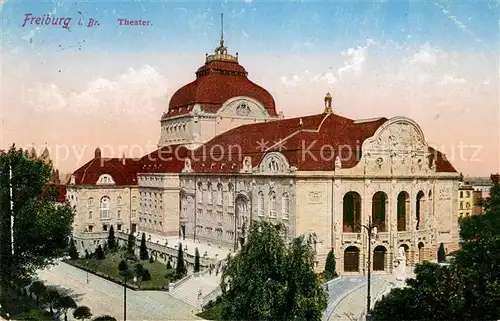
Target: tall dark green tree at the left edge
[{"x": 41, "y": 227}]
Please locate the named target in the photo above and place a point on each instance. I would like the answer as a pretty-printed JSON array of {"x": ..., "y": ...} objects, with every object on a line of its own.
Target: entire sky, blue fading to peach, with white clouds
[{"x": 72, "y": 87}]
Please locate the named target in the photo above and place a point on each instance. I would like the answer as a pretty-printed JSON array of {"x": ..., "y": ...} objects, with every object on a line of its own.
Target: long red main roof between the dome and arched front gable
[{"x": 312, "y": 146}]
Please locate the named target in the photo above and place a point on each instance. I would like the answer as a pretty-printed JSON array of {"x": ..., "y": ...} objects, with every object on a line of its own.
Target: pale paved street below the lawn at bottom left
[{"x": 104, "y": 297}]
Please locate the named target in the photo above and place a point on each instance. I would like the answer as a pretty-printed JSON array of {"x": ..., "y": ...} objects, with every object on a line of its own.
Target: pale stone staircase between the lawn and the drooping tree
[{"x": 189, "y": 289}]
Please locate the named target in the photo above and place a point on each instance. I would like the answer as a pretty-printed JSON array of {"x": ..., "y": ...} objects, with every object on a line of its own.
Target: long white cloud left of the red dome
[{"x": 133, "y": 92}]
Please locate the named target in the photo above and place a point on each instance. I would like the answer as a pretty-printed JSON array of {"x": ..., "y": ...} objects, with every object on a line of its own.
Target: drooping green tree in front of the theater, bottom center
[{"x": 268, "y": 280}]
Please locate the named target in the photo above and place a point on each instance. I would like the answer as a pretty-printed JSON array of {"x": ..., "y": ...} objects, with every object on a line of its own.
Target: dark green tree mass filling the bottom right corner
[{"x": 467, "y": 289}]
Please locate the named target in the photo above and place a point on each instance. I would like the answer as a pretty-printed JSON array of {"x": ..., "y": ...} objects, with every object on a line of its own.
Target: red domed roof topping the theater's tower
[{"x": 216, "y": 82}]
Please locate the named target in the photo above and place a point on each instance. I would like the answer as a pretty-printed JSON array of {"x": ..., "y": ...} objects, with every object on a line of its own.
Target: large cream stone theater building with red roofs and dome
[{"x": 226, "y": 158}]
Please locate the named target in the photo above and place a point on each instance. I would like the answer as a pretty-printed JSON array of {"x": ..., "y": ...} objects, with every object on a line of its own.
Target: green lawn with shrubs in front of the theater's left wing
[{"x": 109, "y": 266}]
